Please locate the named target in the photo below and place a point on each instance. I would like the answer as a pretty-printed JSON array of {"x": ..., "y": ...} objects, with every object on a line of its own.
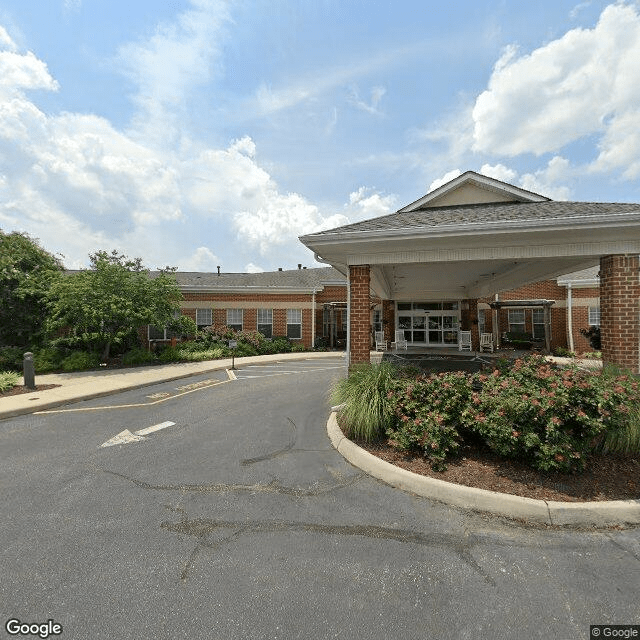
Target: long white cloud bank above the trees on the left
[{"x": 83, "y": 185}]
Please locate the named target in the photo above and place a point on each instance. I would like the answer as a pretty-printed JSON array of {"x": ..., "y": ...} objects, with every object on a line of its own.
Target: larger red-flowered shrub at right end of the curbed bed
[{"x": 548, "y": 417}]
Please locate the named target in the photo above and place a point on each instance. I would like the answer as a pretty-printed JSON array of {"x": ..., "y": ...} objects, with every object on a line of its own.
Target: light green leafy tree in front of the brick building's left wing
[{"x": 107, "y": 303}]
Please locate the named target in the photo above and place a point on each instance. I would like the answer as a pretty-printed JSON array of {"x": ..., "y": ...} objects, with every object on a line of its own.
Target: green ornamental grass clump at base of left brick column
[{"x": 366, "y": 412}]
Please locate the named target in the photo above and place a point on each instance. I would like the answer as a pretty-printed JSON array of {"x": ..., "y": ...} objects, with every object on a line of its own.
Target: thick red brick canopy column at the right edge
[{"x": 620, "y": 311}]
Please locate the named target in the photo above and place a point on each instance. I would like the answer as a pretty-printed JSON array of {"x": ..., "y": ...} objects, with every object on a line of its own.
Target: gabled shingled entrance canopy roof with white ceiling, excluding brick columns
[{"x": 477, "y": 236}]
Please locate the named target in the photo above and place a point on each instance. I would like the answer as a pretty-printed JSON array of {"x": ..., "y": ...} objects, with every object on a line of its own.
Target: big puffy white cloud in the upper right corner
[{"x": 585, "y": 83}]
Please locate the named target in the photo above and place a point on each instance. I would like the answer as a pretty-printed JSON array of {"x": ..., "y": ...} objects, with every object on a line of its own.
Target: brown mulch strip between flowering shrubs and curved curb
[{"x": 606, "y": 477}]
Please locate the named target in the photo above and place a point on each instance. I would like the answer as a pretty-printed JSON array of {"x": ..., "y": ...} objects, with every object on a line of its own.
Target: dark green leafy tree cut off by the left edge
[{"x": 27, "y": 272}]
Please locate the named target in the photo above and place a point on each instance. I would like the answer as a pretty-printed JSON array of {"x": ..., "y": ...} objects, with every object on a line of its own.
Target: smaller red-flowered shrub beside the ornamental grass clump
[{"x": 427, "y": 414}]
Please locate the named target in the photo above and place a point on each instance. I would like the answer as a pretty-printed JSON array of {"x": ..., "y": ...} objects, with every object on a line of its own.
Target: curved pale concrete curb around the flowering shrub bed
[{"x": 574, "y": 514}]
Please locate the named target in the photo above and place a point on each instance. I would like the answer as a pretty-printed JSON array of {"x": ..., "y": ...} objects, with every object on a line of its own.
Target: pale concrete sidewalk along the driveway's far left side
[{"x": 84, "y": 385}]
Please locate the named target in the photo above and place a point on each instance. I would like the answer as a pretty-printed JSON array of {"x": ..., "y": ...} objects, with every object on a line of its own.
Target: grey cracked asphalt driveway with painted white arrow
[{"x": 241, "y": 521}]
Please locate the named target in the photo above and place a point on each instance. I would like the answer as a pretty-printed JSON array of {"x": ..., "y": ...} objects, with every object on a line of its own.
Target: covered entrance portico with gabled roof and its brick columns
[{"x": 476, "y": 237}]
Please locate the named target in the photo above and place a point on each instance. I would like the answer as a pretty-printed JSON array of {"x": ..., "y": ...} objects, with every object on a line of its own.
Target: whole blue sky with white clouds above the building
[{"x": 206, "y": 133}]
